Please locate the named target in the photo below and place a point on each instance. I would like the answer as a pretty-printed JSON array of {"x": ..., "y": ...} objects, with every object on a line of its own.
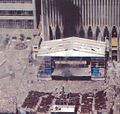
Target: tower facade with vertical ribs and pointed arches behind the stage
[{"x": 84, "y": 18}]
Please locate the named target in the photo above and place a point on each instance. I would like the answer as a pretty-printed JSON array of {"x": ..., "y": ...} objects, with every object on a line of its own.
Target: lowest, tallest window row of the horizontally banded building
[{"x": 21, "y": 24}]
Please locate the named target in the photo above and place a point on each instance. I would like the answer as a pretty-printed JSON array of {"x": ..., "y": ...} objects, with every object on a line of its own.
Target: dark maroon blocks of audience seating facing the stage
[{"x": 42, "y": 102}]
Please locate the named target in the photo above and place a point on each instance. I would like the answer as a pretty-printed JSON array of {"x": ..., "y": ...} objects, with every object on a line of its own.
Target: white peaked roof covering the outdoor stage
[{"x": 72, "y": 47}]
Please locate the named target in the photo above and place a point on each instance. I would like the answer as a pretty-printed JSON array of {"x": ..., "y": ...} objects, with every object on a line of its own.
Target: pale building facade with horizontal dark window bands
[{"x": 19, "y": 14}]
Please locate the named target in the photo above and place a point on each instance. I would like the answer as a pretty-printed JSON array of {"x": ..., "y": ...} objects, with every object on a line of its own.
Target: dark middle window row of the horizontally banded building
[{"x": 15, "y": 13}]
